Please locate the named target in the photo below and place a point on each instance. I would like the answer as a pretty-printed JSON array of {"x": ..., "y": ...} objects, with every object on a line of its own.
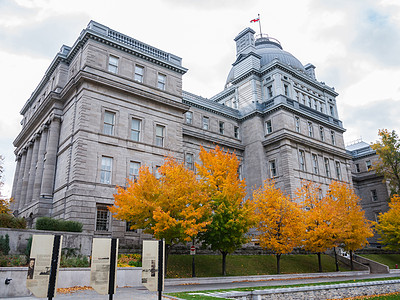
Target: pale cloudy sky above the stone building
[{"x": 355, "y": 46}]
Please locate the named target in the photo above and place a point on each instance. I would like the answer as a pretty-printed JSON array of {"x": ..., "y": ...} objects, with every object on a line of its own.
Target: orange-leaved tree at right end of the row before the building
[{"x": 353, "y": 228}]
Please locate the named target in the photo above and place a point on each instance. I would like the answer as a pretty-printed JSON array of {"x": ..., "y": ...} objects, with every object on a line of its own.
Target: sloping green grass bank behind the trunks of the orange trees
[{"x": 180, "y": 266}]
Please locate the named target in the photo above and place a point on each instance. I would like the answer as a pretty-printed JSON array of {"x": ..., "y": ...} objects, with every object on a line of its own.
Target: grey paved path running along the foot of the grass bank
[{"x": 199, "y": 284}]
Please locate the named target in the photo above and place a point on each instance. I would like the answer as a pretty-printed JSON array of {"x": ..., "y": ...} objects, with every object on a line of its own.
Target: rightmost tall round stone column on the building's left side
[{"x": 51, "y": 158}]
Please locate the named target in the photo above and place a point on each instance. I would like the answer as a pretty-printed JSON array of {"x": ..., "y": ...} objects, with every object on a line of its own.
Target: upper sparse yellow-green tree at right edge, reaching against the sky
[{"x": 388, "y": 149}]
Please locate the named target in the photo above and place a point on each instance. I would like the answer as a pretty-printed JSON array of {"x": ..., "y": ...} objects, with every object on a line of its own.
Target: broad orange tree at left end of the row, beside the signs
[{"x": 173, "y": 208}]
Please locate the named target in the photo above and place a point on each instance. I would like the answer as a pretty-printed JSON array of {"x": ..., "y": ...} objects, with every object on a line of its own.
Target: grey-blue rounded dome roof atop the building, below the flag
[{"x": 269, "y": 49}]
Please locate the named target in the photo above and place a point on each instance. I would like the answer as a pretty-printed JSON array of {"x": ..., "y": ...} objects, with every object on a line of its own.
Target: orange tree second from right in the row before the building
[{"x": 320, "y": 234}]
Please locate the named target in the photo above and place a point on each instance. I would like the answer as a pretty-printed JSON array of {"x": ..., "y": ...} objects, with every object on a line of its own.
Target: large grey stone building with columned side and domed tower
[{"x": 110, "y": 103}]
